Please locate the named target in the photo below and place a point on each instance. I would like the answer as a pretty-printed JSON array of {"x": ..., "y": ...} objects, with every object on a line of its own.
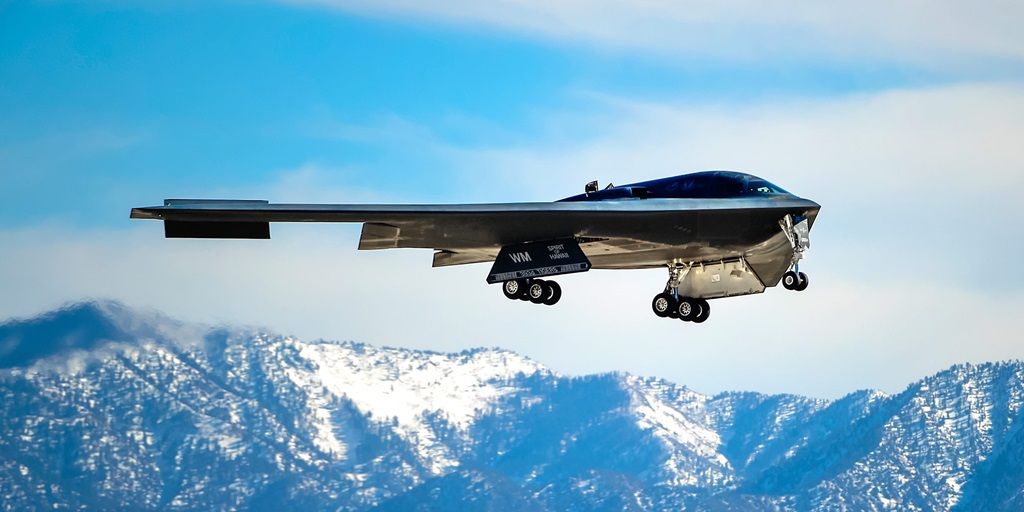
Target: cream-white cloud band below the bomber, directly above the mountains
[{"x": 839, "y": 336}]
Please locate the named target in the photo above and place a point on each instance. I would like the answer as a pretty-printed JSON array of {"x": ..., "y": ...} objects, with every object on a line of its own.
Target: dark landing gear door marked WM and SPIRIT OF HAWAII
[{"x": 539, "y": 260}]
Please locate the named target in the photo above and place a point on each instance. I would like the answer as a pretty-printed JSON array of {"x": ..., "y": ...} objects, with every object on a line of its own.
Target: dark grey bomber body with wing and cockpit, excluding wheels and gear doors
[{"x": 632, "y": 227}]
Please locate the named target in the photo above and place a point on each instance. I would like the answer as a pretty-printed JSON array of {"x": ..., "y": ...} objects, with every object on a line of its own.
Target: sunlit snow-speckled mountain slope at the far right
[{"x": 933, "y": 439}]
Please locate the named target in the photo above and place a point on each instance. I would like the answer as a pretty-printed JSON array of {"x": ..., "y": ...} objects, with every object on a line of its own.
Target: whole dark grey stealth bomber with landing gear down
[{"x": 718, "y": 234}]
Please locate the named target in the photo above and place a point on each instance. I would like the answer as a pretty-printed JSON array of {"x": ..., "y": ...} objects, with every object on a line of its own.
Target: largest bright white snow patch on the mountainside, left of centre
[{"x": 408, "y": 390}]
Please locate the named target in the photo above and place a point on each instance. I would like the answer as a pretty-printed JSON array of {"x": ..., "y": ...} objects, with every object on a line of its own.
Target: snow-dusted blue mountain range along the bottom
[{"x": 105, "y": 408}]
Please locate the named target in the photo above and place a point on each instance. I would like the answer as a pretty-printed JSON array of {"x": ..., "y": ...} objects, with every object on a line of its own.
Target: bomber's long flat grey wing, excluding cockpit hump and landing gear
[{"x": 466, "y": 234}]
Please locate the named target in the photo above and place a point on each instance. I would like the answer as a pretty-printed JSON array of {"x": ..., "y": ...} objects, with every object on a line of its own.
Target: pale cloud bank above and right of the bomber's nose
[{"x": 910, "y": 181}]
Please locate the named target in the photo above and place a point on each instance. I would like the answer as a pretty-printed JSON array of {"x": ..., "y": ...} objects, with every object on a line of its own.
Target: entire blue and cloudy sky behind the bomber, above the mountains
[{"x": 903, "y": 121}]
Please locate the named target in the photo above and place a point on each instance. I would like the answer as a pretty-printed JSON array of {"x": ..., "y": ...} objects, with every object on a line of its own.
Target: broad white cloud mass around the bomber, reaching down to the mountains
[{"x": 913, "y": 265}]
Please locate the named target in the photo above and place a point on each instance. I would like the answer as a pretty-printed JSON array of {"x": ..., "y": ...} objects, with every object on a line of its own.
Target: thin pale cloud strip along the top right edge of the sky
[{"x": 934, "y": 34}]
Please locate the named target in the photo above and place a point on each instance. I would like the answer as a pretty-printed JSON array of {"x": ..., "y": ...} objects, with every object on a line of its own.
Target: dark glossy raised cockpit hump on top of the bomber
[{"x": 707, "y": 185}]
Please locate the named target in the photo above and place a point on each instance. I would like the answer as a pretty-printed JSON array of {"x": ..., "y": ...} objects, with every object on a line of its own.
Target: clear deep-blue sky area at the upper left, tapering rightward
[{"x": 200, "y": 97}]
